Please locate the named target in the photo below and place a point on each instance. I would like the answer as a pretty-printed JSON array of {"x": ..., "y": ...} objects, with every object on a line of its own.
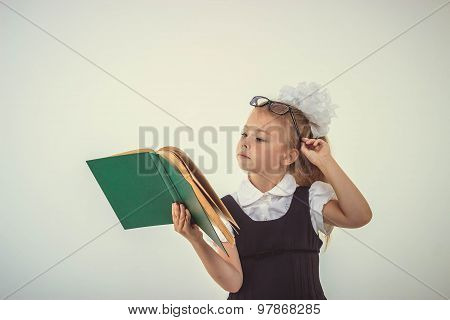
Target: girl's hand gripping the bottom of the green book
[{"x": 182, "y": 223}]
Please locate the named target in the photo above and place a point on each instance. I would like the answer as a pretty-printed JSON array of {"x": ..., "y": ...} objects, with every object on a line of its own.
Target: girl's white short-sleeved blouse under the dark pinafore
[{"x": 274, "y": 203}]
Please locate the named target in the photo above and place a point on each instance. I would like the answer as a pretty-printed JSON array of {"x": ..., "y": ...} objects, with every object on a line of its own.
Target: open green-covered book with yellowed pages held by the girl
[{"x": 142, "y": 184}]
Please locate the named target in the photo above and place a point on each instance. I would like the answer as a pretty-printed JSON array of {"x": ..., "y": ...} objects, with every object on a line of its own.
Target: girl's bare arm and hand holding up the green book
[{"x": 226, "y": 271}]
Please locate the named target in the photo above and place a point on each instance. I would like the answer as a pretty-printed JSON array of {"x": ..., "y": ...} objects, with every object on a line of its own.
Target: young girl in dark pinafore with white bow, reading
[{"x": 294, "y": 188}]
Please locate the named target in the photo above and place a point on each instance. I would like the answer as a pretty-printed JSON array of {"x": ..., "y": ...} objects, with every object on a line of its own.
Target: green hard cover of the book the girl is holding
[{"x": 141, "y": 188}]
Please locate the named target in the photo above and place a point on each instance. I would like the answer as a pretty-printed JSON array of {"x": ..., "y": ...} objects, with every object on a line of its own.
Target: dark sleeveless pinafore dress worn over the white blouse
[{"x": 279, "y": 258}]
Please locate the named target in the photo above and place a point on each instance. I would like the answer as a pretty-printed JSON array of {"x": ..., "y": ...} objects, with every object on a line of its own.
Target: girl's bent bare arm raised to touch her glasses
[{"x": 351, "y": 210}]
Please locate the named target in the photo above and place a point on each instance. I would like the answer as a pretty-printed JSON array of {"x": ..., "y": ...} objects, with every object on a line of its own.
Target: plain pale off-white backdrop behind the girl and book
[{"x": 202, "y": 61}]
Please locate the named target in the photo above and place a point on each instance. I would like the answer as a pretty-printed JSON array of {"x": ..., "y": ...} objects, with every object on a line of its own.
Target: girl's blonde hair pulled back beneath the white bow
[{"x": 304, "y": 172}]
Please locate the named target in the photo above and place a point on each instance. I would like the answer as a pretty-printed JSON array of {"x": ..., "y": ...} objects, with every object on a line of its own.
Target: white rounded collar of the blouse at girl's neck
[{"x": 248, "y": 193}]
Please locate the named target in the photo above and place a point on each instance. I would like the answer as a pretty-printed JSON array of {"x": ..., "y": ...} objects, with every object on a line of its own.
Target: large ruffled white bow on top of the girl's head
[{"x": 315, "y": 104}]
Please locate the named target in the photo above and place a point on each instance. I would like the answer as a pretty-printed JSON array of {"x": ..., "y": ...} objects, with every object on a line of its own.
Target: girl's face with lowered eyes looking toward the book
[{"x": 263, "y": 146}]
